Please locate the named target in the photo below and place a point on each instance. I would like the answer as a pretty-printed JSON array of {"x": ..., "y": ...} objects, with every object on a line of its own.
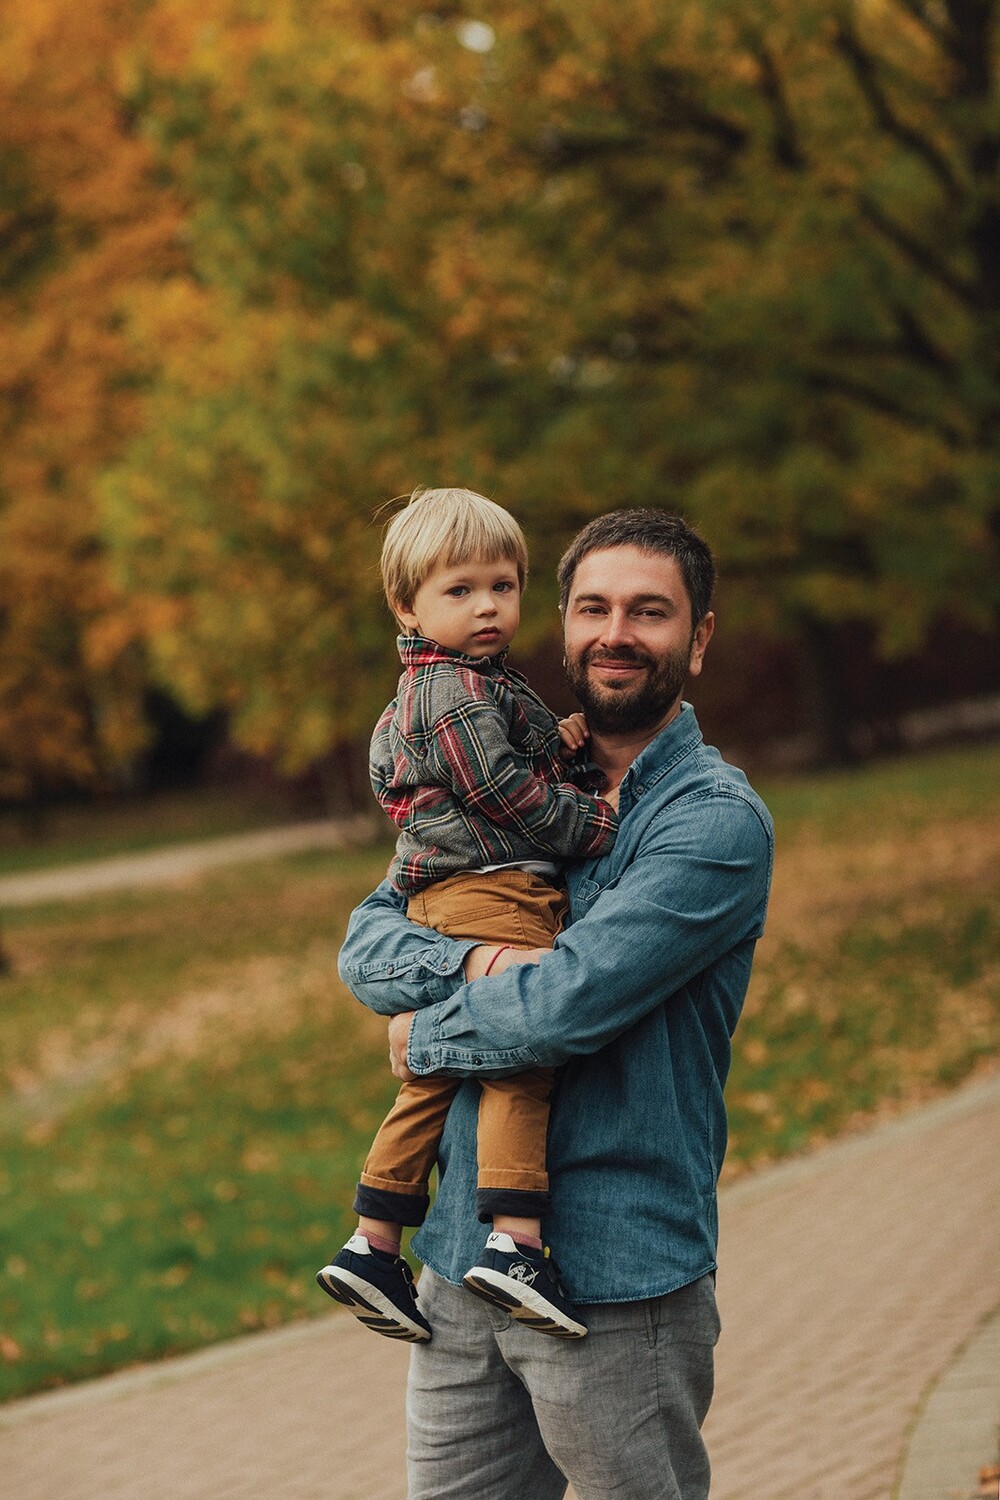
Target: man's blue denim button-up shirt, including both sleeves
[{"x": 636, "y": 1006}]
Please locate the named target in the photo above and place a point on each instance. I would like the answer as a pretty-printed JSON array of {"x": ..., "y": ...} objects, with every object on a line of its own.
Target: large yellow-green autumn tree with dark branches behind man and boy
[{"x": 585, "y": 256}]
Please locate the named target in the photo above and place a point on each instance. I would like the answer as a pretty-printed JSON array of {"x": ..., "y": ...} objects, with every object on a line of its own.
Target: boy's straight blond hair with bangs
[{"x": 445, "y": 529}]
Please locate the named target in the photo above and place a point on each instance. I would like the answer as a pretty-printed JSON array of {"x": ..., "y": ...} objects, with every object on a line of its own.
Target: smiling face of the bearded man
[{"x": 630, "y": 643}]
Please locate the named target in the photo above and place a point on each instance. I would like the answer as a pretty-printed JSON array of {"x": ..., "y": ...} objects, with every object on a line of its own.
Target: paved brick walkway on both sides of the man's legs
[{"x": 851, "y": 1283}]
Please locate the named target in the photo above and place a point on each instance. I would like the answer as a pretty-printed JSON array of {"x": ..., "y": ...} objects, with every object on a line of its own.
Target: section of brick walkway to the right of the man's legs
[{"x": 848, "y": 1285}]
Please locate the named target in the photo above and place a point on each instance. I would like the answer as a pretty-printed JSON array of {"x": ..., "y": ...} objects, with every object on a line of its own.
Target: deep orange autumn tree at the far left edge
[{"x": 82, "y": 226}]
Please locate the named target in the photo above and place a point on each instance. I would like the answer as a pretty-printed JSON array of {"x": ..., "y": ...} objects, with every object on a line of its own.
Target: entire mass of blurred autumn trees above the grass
[{"x": 266, "y": 266}]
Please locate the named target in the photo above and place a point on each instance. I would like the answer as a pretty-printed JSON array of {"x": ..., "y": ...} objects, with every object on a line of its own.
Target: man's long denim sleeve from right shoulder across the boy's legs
[{"x": 695, "y": 890}]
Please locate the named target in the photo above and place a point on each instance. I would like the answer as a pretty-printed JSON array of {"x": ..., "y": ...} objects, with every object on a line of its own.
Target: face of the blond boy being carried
[{"x": 472, "y": 607}]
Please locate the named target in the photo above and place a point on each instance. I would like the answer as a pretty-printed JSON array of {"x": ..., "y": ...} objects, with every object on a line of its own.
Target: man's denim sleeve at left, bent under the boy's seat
[{"x": 394, "y": 965}]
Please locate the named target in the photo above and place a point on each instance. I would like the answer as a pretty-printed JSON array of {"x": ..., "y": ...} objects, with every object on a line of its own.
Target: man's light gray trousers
[{"x": 497, "y": 1412}]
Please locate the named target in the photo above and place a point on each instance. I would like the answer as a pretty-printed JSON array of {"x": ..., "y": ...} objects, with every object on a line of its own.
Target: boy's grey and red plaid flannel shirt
[{"x": 467, "y": 764}]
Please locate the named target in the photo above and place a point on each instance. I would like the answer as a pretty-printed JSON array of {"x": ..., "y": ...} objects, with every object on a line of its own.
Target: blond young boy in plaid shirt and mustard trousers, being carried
[{"x": 469, "y": 764}]
